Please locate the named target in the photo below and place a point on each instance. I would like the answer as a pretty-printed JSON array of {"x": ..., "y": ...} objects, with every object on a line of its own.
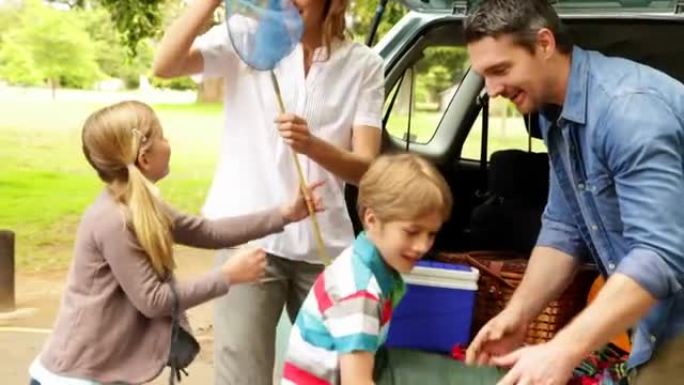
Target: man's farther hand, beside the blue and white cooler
[{"x": 501, "y": 335}]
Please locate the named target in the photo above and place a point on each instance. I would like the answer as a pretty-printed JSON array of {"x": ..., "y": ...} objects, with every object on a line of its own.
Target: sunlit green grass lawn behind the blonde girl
[{"x": 45, "y": 182}]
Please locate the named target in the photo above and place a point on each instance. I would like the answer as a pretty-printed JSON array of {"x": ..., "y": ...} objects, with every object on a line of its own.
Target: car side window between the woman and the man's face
[{"x": 419, "y": 99}]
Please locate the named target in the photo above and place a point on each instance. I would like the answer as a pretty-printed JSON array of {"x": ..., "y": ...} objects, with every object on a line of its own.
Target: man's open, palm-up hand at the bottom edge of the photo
[{"x": 550, "y": 363}]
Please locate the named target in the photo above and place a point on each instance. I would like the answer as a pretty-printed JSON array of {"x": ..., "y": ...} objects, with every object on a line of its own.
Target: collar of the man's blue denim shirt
[{"x": 575, "y": 104}]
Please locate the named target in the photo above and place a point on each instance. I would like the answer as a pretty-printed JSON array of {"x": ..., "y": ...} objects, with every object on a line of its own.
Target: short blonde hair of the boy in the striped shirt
[{"x": 403, "y": 187}]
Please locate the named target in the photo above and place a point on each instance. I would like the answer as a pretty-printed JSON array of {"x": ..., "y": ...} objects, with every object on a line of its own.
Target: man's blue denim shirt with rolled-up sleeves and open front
[{"x": 617, "y": 182}]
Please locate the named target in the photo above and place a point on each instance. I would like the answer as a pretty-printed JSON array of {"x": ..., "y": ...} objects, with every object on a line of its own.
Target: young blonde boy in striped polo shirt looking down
[{"x": 403, "y": 201}]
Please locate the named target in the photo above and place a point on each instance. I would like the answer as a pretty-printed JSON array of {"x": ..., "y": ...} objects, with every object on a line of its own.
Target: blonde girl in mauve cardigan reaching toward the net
[{"x": 114, "y": 322}]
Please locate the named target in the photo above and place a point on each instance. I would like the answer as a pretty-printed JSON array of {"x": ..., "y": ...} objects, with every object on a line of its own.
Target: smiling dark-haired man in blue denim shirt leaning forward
[{"x": 615, "y": 136}]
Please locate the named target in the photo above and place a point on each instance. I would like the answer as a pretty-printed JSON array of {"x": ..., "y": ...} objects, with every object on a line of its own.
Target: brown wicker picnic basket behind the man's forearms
[{"x": 501, "y": 273}]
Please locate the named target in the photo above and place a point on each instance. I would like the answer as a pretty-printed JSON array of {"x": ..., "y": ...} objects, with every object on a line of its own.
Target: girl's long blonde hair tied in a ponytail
[{"x": 113, "y": 138}]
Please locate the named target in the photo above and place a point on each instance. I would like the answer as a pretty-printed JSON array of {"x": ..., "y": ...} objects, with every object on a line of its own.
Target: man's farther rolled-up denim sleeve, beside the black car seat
[{"x": 559, "y": 230}]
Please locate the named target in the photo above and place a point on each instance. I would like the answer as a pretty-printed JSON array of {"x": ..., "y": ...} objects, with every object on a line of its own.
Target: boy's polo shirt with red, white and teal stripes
[{"x": 348, "y": 309}]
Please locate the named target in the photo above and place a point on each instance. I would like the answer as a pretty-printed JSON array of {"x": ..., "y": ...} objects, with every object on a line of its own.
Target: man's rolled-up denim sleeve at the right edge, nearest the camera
[{"x": 644, "y": 153}]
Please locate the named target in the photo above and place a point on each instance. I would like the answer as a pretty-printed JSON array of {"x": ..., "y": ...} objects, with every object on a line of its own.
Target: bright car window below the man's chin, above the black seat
[{"x": 506, "y": 131}]
